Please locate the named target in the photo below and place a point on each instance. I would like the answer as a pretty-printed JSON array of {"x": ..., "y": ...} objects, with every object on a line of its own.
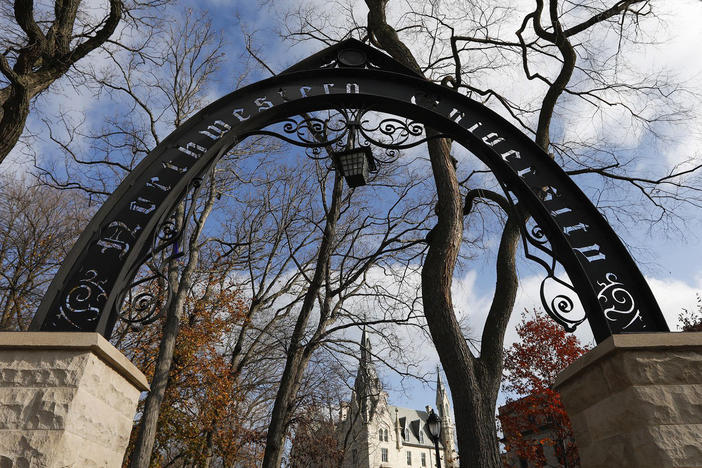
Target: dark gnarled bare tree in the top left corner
[{"x": 41, "y": 43}]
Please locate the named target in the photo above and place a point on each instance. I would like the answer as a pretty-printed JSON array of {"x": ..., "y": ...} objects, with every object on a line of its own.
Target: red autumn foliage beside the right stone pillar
[{"x": 538, "y": 419}]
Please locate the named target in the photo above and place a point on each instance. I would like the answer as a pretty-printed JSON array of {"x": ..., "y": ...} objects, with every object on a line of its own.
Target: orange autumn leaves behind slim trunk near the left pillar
[{"x": 202, "y": 407}]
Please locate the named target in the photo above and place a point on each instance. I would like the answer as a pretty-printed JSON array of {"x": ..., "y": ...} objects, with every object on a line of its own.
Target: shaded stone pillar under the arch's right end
[{"x": 636, "y": 401}]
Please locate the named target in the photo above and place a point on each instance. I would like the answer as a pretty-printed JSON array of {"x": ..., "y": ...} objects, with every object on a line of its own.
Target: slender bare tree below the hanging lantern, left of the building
[{"x": 355, "y": 238}]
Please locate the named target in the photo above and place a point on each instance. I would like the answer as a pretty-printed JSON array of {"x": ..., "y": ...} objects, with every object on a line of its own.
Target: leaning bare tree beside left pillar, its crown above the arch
[{"x": 156, "y": 90}]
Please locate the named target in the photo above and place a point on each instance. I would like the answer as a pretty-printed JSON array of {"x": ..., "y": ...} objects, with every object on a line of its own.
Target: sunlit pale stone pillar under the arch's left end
[{"x": 66, "y": 400}]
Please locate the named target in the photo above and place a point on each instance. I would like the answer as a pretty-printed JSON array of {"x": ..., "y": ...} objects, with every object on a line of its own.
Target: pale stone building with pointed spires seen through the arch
[{"x": 376, "y": 434}]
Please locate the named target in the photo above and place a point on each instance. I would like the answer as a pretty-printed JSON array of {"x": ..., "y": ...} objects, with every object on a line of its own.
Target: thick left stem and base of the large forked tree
[{"x": 474, "y": 408}]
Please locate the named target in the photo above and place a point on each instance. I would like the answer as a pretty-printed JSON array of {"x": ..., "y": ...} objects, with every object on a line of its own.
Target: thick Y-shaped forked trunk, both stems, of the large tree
[{"x": 474, "y": 382}]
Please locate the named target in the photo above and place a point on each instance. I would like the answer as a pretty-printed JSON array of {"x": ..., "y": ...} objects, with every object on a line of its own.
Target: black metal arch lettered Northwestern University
[{"x": 88, "y": 290}]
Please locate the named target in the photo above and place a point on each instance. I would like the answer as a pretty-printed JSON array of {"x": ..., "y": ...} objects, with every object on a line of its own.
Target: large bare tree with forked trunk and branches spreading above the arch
[{"x": 553, "y": 36}]
